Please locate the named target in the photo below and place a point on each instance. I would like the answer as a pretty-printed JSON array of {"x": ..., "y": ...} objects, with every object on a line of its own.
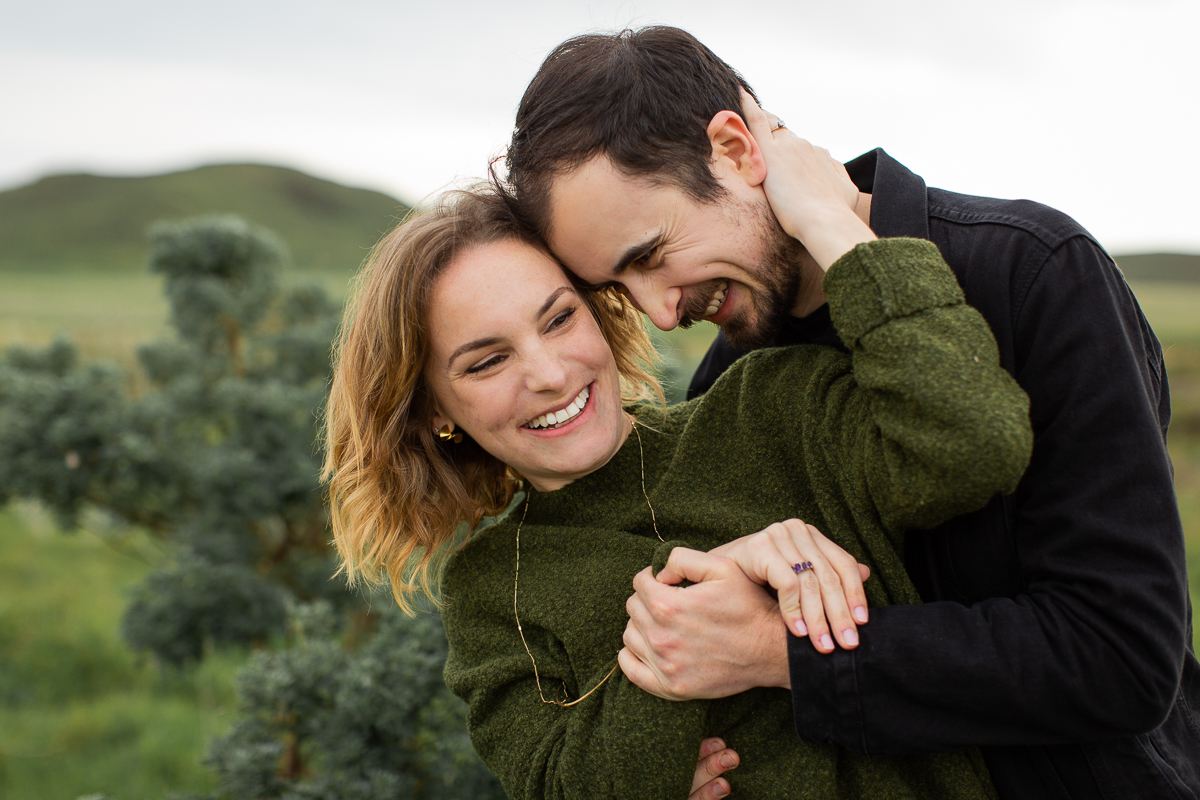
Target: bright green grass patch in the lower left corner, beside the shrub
[{"x": 79, "y": 713}]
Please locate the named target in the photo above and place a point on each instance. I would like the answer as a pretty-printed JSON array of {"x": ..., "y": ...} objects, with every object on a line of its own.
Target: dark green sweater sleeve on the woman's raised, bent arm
[{"x": 920, "y": 423}]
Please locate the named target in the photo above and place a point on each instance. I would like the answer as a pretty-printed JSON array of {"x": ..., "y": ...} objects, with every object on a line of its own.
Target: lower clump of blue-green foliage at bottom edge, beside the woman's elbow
[{"x": 376, "y": 723}]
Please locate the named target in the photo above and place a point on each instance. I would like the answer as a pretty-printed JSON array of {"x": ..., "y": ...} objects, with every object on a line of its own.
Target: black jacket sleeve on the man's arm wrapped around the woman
[{"x": 1090, "y": 641}]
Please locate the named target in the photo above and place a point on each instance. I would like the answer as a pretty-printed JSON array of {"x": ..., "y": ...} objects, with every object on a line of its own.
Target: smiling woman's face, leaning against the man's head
[{"x": 519, "y": 364}]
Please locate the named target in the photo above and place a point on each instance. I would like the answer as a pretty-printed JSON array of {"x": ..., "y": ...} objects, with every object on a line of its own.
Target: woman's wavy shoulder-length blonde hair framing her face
[{"x": 398, "y": 495}]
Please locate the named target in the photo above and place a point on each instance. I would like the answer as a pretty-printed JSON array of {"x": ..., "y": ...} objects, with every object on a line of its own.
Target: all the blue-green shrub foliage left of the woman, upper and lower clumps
[{"x": 214, "y": 452}]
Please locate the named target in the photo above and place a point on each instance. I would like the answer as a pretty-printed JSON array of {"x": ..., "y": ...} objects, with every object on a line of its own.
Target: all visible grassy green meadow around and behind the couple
[{"x": 80, "y": 714}]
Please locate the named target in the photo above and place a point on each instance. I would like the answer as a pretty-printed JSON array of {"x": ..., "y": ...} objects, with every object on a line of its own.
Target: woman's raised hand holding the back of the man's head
[{"x": 809, "y": 193}]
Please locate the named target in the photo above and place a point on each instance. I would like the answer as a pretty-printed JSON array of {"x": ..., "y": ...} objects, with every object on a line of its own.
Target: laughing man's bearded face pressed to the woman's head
[{"x": 680, "y": 261}]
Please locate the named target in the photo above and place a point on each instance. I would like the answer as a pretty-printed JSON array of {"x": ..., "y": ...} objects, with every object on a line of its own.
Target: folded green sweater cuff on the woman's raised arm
[{"x": 886, "y": 280}]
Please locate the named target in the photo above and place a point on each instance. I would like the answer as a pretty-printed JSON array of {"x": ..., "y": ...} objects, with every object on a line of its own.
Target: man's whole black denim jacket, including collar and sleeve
[{"x": 1057, "y": 631}]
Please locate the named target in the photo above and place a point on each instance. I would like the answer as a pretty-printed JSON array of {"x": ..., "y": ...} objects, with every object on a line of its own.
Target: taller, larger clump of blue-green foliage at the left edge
[{"x": 218, "y": 454}]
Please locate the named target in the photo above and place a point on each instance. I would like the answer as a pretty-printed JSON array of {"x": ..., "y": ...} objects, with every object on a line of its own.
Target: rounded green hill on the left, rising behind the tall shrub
[{"x": 99, "y": 224}]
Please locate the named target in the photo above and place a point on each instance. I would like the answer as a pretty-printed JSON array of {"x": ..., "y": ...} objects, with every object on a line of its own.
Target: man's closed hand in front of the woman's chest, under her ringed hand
[{"x": 716, "y": 639}]
